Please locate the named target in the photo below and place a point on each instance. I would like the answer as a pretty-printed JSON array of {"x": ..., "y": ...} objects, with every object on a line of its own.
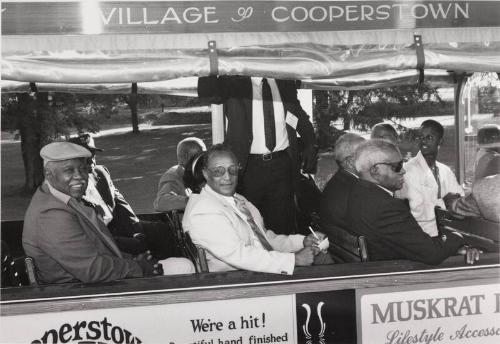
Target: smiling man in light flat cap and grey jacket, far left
[{"x": 68, "y": 239}]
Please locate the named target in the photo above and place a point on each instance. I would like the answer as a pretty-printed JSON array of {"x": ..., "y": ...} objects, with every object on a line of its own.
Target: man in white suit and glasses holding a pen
[{"x": 232, "y": 230}]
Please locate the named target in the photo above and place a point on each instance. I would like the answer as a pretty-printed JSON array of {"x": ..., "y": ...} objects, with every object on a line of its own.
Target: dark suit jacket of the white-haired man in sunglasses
[{"x": 390, "y": 229}]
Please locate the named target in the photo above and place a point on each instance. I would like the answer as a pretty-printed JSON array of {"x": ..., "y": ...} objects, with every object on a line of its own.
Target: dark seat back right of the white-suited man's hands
[{"x": 345, "y": 246}]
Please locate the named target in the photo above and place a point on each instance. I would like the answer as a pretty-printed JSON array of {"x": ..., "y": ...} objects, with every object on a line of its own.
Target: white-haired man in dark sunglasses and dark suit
[{"x": 386, "y": 222}]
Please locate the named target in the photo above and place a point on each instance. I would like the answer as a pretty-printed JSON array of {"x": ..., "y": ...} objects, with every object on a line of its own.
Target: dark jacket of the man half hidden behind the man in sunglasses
[{"x": 334, "y": 200}]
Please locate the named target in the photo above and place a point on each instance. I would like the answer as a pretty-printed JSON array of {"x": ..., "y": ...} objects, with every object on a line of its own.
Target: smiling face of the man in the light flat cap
[{"x": 69, "y": 176}]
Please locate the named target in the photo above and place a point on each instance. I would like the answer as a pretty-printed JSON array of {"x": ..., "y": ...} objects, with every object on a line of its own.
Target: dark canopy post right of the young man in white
[{"x": 461, "y": 79}]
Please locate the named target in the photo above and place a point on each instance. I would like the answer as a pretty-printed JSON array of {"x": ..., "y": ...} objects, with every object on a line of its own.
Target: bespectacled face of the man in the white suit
[{"x": 222, "y": 173}]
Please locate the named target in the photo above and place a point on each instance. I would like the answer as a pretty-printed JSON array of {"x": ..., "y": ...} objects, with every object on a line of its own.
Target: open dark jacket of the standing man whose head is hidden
[{"x": 235, "y": 92}]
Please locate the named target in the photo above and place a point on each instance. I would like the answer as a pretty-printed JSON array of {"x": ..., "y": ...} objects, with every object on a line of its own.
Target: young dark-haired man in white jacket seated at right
[{"x": 429, "y": 183}]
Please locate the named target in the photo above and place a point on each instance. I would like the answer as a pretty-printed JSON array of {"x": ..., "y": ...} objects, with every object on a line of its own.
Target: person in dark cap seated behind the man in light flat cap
[{"x": 132, "y": 235}]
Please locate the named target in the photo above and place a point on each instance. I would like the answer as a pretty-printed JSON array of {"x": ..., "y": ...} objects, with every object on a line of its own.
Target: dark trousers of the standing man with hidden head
[{"x": 269, "y": 186}]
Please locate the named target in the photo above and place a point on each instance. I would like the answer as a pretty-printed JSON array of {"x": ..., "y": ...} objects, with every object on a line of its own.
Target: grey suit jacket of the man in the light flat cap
[{"x": 67, "y": 245}]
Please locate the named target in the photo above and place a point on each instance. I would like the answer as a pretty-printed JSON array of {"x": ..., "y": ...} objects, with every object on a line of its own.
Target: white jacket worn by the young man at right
[{"x": 421, "y": 190}]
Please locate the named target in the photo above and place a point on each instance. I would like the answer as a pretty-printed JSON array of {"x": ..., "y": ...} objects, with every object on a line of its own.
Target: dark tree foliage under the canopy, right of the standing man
[{"x": 362, "y": 109}]
